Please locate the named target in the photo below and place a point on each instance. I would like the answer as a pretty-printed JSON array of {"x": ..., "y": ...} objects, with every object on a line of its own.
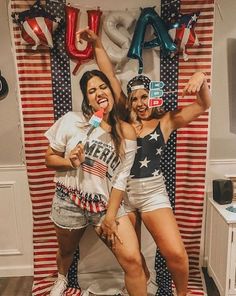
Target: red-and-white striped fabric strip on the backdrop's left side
[{"x": 35, "y": 91}]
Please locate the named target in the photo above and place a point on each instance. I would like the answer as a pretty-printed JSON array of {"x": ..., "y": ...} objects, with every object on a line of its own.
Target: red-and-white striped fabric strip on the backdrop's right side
[{"x": 191, "y": 147}]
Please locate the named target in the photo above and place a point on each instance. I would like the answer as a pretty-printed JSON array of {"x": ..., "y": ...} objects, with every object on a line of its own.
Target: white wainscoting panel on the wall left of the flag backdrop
[{"x": 16, "y": 243}]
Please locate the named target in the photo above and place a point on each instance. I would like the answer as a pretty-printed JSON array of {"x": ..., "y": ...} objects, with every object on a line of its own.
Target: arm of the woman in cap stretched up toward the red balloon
[{"x": 103, "y": 61}]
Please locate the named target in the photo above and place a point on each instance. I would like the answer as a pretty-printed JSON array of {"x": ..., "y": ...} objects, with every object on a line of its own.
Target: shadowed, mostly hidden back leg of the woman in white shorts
[{"x": 135, "y": 219}]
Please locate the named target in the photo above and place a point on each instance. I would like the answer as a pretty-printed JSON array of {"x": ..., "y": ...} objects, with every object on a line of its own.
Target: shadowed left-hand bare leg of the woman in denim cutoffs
[{"x": 68, "y": 241}]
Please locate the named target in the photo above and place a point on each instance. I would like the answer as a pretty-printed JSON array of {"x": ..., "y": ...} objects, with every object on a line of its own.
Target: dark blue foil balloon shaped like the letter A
[{"x": 147, "y": 17}]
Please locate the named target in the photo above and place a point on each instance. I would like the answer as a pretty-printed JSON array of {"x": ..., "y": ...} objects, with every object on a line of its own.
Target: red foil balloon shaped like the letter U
[{"x": 94, "y": 17}]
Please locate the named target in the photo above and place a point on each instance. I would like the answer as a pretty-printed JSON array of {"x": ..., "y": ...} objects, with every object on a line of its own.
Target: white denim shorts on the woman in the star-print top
[{"x": 146, "y": 194}]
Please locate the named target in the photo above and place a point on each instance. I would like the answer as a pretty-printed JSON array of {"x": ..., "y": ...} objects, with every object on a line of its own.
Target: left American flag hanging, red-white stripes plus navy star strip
[{"x": 45, "y": 94}]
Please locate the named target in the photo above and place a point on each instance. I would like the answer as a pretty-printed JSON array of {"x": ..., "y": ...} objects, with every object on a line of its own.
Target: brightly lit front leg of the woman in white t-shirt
[{"x": 128, "y": 256}]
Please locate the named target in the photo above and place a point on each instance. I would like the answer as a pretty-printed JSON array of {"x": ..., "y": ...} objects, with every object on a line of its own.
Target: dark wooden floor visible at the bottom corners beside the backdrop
[{"x": 21, "y": 286}]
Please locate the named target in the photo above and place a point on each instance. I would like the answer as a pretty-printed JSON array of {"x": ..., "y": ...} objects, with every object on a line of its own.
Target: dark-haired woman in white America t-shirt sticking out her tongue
[{"x": 91, "y": 172}]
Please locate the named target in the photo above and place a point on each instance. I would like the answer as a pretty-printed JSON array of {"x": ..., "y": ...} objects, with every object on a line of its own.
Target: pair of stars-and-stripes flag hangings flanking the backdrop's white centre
[{"x": 45, "y": 95}]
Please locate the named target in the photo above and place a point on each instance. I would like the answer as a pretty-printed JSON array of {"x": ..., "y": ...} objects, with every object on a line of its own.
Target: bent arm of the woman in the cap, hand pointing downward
[{"x": 197, "y": 84}]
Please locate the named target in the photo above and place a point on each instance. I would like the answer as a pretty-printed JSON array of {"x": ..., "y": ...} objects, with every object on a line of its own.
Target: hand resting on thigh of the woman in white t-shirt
[{"x": 109, "y": 231}]
